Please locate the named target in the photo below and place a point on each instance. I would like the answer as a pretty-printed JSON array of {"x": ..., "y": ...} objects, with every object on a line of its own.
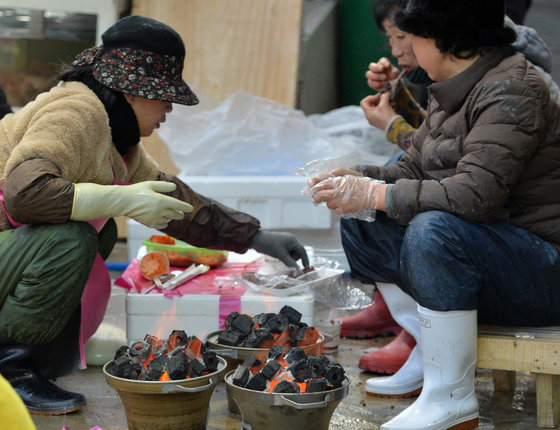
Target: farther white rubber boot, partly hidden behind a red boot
[{"x": 408, "y": 380}]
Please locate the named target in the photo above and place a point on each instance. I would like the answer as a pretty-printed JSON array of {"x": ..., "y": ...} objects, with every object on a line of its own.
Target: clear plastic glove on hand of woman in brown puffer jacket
[{"x": 349, "y": 196}]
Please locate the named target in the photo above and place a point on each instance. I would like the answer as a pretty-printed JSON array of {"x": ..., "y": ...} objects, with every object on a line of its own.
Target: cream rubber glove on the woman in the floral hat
[{"x": 142, "y": 202}]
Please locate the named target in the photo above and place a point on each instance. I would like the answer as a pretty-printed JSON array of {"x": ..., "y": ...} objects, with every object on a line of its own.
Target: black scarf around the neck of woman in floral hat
[{"x": 125, "y": 131}]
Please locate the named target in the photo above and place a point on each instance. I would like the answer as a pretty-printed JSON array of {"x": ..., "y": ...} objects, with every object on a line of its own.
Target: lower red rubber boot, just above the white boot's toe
[{"x": 391, "y": 357}]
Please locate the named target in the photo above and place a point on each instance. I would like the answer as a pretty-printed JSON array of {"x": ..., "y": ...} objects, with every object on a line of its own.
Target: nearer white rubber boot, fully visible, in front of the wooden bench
[{"x": 448, "y": 400}]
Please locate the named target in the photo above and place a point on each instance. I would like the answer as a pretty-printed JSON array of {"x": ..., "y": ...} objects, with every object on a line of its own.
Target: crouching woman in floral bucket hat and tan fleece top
[{"x": 71, "y": 161}]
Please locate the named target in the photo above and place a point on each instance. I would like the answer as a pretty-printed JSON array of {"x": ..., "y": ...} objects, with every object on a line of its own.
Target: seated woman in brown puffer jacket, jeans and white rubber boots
[{"x": 466, "y": 227}]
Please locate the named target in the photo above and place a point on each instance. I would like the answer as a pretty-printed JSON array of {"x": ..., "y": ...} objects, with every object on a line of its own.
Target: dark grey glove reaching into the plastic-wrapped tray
[{"x": 283, "y": 246}]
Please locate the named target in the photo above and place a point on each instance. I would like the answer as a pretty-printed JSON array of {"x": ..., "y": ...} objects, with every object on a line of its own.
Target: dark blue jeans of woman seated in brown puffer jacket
[{"x": 446, "y": 263}]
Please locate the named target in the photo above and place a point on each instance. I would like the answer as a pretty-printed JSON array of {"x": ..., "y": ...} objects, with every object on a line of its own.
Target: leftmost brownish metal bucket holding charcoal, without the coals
[{"x": 172, "y": 405}]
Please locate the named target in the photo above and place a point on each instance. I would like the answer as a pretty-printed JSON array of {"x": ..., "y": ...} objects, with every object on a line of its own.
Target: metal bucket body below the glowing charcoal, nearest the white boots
[{"x": 278, "y": 411}]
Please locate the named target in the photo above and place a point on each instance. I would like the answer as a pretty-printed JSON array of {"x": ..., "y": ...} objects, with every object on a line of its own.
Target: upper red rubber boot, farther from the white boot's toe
[{"x": 370, "y": 321}]
